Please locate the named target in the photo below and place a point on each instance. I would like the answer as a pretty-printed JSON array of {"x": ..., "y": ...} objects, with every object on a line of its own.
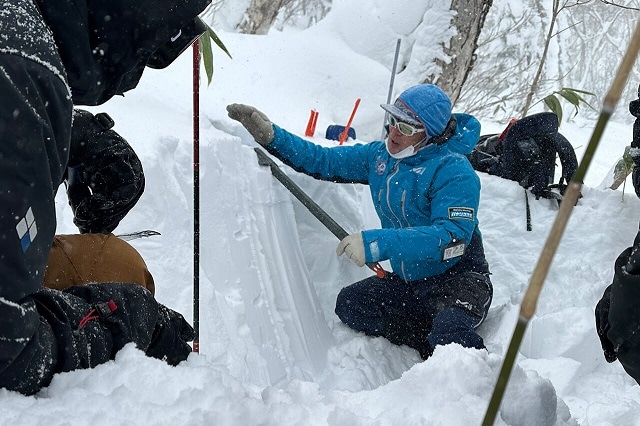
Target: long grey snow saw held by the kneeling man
[{"x": 312, "y": 206}]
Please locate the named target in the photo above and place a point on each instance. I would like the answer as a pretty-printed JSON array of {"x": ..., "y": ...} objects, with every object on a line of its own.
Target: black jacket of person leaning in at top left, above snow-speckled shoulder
[{"x": 105, "y": 44}]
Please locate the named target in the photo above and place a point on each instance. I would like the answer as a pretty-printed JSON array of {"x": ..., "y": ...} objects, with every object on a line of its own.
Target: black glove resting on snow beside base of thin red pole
[{"x": 170, "y": 337}]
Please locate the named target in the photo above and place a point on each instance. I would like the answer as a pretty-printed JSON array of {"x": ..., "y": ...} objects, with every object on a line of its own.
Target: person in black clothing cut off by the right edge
[{"x": 618, "y": 311}]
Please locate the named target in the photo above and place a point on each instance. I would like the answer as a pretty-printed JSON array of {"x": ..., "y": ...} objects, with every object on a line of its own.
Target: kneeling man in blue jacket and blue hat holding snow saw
[{"x": 426, "y": 195}]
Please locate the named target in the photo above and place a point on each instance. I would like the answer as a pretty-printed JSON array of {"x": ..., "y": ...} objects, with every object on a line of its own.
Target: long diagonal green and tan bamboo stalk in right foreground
[{"x": 530, "y": 300}]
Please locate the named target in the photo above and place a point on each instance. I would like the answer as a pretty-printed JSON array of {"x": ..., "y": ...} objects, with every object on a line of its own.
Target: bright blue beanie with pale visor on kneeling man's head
[{"x": 422, "y": 105}]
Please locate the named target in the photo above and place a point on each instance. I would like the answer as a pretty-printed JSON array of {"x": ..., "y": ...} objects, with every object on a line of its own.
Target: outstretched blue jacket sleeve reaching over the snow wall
[{"x": 344, "y": 164}]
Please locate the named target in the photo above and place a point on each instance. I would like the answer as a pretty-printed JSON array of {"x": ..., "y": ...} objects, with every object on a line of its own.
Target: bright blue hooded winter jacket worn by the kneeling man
[{"x": 424, "y": 202}]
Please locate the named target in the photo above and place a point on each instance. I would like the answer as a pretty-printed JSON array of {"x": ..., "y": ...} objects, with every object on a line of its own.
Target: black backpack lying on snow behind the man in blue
[{"x": 526, "y": 152}]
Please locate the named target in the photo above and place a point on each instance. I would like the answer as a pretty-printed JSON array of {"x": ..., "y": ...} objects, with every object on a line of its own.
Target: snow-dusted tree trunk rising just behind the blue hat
[{"x": 468, "y": 23}]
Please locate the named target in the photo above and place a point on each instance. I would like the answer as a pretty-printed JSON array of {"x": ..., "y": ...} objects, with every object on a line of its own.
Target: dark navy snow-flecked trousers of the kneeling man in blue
[{"x": 420, "y": 314}]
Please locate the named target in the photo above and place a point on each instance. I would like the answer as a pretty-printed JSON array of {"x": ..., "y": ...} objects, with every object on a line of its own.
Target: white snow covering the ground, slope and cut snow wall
[{"x": 272, "y": 351}]
